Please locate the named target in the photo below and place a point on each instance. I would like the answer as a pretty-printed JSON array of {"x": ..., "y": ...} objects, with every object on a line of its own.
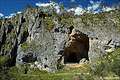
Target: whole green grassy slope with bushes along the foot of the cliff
[{"x": 106, "y": 67}]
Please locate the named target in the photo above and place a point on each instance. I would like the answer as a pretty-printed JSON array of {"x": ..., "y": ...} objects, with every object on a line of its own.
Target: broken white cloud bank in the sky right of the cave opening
[{"x": 94, "y": 7}]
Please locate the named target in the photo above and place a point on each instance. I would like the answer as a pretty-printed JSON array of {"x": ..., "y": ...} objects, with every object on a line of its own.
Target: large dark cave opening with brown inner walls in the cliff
[{"x": 76, "y": 48}]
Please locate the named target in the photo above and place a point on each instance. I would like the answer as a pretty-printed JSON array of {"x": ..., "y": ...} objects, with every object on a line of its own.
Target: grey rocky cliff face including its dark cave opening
[{"x": 45, "y": 40}]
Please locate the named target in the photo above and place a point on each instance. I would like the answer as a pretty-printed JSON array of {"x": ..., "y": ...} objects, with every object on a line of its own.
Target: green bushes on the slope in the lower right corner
[{"x": 109, "y": 64}]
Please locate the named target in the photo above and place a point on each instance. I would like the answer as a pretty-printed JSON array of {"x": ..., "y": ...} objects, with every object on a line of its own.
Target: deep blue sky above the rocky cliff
[{"x": 11, "y": 6}]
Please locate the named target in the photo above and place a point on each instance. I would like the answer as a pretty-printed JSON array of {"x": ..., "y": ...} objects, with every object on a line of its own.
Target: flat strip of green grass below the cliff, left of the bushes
[{"x": 43, "y": 75}]
